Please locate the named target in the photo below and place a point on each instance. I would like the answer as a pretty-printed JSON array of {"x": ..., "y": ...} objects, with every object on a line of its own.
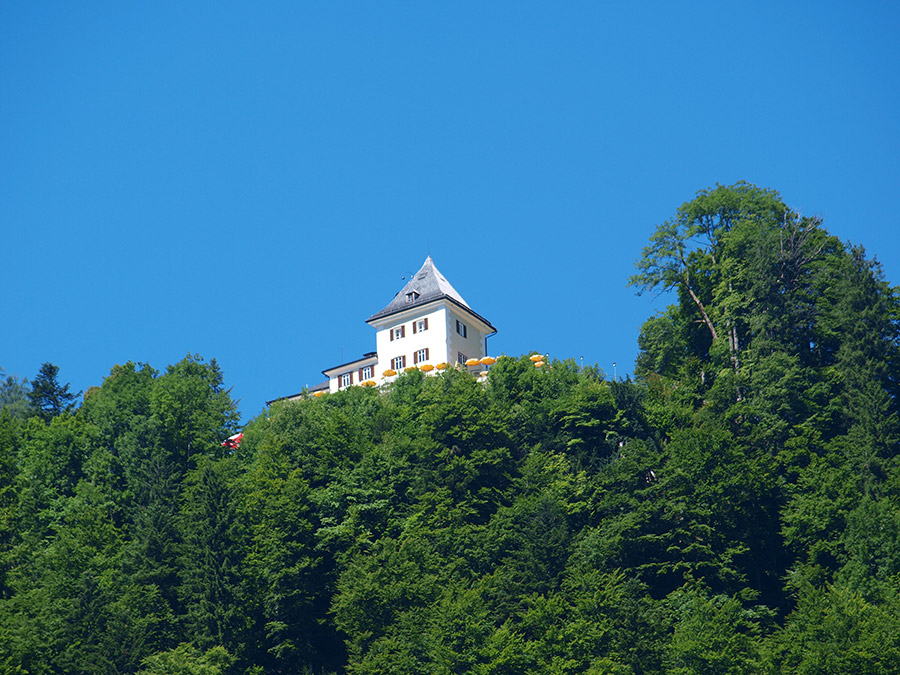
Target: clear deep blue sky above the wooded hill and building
[{"x": 250, "y": 181}]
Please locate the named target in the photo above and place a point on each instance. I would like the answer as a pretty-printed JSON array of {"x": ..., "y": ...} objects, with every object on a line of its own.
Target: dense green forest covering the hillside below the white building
[{"x": 735, "y": 508}]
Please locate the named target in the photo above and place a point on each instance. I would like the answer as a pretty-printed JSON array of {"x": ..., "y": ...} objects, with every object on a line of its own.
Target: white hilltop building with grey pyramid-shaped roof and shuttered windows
[{"x": 426, "y": 324}]
